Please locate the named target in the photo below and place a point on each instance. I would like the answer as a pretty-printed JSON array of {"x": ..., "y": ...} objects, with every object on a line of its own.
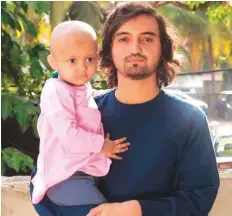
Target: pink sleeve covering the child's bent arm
[{"x": 57, "y": 105}]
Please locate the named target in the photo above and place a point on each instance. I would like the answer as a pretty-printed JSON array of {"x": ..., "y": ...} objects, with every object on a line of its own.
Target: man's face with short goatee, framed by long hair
[{"x": 136, "y": 47}]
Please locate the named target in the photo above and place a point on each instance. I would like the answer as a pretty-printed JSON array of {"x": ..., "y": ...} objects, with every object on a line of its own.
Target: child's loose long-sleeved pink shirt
[{"x": 71, "y": 136}]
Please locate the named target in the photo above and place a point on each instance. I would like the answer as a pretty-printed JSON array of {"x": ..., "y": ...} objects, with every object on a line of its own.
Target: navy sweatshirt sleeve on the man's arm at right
[{"x": 197, "y": 180}]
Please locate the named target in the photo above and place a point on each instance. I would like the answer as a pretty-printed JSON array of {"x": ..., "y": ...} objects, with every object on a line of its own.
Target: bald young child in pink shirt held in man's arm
[{"x": 73, "y": 150}]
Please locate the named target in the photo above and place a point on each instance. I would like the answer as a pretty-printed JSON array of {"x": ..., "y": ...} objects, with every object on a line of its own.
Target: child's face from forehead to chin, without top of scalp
[{"x": 76, "y": 59}]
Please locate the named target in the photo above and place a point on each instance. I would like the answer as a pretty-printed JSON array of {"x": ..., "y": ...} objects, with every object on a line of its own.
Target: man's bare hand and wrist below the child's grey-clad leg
[{"x": 128, "y": 208}]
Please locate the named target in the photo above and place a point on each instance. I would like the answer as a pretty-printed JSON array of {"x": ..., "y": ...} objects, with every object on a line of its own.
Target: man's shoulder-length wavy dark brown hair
[{"x": 121, "y": 14}]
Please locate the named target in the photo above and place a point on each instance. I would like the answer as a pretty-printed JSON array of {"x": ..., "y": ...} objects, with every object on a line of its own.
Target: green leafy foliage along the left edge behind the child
[{"x": 24, "y": 68}]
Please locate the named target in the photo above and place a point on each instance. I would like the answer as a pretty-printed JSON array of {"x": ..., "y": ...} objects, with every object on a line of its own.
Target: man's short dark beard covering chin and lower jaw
[{"x": 137, "y": 72}]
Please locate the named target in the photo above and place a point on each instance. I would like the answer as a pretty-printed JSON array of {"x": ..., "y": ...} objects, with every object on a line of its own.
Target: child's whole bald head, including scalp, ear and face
[{"x": 73, "y": 51}]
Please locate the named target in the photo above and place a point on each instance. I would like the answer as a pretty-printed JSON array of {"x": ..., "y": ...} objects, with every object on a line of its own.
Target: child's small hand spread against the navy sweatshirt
[{"x": 111, "y": 148}]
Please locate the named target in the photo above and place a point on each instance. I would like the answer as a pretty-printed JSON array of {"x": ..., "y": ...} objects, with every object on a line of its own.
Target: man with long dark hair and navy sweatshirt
[{"x": 170, "y": 167}]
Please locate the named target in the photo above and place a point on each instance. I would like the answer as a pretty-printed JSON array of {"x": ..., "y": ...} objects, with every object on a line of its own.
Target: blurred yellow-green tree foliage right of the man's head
[{"x": 204, "y": 36}]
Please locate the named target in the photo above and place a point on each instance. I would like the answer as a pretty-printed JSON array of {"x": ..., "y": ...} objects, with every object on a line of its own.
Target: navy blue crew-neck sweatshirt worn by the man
[{"x": 170, "y": 167}]
